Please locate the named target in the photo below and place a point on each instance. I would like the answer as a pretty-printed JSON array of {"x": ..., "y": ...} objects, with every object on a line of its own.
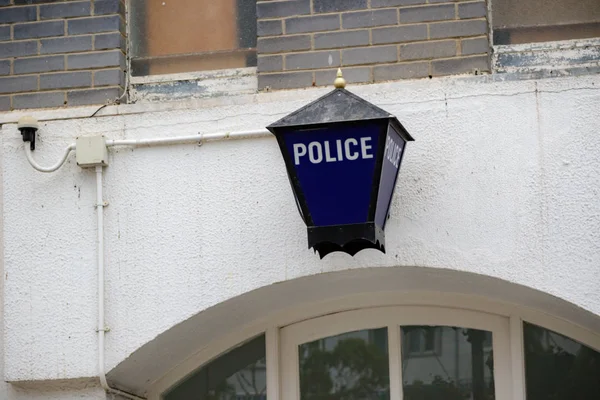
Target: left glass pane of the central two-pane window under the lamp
[{"x": 350, "y": 366}]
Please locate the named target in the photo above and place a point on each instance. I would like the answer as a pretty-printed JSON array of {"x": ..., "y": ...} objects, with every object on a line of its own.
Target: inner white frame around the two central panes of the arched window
[{"x": 392, "y": 318}]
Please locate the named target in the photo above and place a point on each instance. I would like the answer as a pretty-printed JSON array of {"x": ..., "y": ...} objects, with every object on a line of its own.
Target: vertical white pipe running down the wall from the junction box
[{"x": 101, "y": 324}]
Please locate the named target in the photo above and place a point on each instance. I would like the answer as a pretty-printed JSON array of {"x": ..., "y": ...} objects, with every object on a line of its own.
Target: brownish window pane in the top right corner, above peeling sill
[{"x": 518, "y": 21}]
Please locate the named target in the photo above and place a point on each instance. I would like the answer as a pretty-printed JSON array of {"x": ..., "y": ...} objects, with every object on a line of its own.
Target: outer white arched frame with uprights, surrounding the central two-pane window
[{"x": 272, "y": 325}]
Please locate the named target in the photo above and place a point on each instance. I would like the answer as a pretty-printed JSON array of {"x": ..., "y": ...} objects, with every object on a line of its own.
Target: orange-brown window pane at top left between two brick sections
[{"x": 169, "y": 36}]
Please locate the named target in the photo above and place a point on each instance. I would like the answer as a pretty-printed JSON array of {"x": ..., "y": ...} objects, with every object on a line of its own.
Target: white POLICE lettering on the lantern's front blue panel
[{"x": 349, "y": 149}]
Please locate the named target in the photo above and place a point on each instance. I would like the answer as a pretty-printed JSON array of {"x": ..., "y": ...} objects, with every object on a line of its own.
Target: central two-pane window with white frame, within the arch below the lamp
[{"x": 397, "y": 352}]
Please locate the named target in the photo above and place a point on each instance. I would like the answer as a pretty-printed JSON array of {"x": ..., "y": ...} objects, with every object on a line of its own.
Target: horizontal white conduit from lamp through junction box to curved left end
[{"x": 198, "y": 138}]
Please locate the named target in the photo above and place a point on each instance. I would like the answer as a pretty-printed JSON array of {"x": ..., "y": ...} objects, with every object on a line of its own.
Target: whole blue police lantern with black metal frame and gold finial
[{"x": 342, "y": 155}]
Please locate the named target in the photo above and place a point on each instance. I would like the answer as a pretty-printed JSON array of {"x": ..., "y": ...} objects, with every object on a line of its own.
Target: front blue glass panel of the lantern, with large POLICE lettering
[{"x": 335, "y": 166}]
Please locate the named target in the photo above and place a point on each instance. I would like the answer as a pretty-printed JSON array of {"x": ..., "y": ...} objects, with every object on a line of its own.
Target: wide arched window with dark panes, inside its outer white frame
[{"x": 401, "y": 353}]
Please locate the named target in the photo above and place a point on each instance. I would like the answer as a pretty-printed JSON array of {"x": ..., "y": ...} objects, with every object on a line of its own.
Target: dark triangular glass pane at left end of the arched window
[{"x": 239, "y": 374}]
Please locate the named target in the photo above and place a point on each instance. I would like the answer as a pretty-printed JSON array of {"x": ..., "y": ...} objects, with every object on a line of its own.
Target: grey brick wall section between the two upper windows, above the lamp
[{"x": 303, "y": 42}]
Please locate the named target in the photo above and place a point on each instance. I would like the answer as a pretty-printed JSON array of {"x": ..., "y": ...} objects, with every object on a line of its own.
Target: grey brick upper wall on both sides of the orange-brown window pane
[{"x": 72, "y": 52}]
